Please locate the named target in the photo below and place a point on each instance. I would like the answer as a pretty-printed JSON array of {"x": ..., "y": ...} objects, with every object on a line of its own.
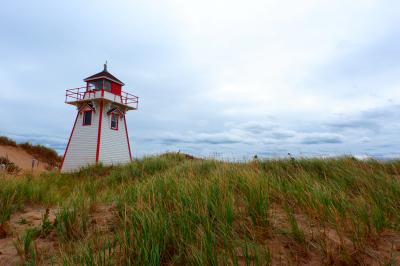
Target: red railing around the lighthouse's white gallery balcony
[{"x": 79, "y": 94}]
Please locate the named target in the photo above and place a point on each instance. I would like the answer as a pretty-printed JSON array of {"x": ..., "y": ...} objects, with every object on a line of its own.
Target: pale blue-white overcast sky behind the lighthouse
[{"x": 215, "y": 78}]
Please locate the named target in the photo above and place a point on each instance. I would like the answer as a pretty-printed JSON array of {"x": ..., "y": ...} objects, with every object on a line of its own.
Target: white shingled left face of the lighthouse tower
[{"x": 83, "y": 144}]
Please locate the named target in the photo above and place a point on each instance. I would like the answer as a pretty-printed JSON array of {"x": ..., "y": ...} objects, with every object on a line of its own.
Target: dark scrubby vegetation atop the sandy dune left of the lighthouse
[{"x": 39, "y": 152}]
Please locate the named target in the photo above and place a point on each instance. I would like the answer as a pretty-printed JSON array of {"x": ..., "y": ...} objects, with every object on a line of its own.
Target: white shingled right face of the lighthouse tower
[{"x": 114, "y": 145}]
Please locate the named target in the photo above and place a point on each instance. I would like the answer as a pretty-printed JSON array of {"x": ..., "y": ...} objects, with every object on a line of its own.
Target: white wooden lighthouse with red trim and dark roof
[{"x": 99, "y": 133}]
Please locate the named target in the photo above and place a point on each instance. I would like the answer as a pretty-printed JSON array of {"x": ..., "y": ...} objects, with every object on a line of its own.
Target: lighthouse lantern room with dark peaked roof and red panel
[{"x": 104, "y": 80}]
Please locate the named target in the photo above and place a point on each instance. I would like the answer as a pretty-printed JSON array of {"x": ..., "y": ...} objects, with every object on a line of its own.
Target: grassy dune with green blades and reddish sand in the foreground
[{"x": 176, "y": 210}]
